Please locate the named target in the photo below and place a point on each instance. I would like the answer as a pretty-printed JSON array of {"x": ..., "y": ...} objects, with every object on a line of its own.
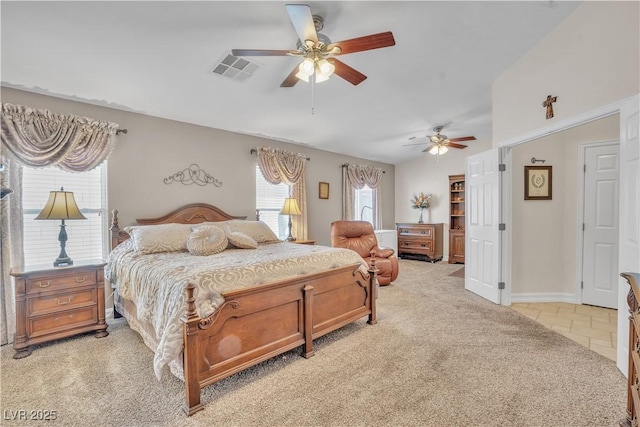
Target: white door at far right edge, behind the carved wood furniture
[{"x": 629, "y": 241}]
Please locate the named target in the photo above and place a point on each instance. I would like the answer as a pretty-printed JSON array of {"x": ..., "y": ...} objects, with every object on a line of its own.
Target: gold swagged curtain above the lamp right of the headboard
[{"x": 279, "y": 166}]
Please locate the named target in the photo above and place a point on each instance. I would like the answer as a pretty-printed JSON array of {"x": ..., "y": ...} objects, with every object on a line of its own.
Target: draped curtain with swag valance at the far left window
[{"x": 39, "y": 138}]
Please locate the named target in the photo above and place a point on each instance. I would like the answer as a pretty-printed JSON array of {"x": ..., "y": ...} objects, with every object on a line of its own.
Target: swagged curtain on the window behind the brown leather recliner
[{"x": 356, "y": 177}]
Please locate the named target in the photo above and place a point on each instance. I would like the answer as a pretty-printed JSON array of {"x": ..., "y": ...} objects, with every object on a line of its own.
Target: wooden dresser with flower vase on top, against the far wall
[{"x": 420, "y": 241}]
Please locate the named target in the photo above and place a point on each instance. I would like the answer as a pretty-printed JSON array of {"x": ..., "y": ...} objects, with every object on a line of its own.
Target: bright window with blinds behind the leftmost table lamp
[{"x": 86, "y": 238}]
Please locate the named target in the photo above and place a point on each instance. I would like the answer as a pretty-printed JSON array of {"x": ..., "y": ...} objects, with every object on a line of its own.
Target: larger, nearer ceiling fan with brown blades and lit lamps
[{"x": 318, "y": 51}]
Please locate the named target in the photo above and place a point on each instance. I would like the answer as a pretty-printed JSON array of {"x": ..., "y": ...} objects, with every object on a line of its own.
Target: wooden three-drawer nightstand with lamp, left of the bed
[{"x": 58, "y": 302}]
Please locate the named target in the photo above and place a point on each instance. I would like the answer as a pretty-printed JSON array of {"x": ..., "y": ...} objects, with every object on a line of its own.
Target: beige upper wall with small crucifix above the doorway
[{"x": 590, "y": 60}]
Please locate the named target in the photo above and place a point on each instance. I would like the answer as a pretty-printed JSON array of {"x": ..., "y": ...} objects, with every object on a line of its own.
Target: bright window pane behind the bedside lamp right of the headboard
[{"x": 269, "y": 201}]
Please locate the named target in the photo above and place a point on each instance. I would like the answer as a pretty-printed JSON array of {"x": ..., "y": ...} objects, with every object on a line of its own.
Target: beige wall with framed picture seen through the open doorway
[{"x": 544, "y": 231}]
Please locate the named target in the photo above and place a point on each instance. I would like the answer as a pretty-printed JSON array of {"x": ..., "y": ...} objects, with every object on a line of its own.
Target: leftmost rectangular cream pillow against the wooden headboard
[{"x": 149, "y": 239}]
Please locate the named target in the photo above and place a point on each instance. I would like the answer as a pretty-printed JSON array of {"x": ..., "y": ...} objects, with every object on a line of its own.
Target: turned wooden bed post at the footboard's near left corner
[{"x": 190, "y": 336}]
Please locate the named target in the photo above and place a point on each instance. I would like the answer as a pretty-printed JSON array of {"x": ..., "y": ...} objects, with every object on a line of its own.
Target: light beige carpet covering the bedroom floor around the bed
[{"x": 439, "y": 356}]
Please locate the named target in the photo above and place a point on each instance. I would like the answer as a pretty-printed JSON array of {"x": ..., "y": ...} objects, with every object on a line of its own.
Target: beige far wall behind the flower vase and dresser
[{"x": 430, "y": 174}]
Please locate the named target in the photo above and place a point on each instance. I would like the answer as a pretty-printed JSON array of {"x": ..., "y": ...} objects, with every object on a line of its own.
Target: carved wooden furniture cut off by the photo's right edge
[{"x": 633, "y": 382}]
